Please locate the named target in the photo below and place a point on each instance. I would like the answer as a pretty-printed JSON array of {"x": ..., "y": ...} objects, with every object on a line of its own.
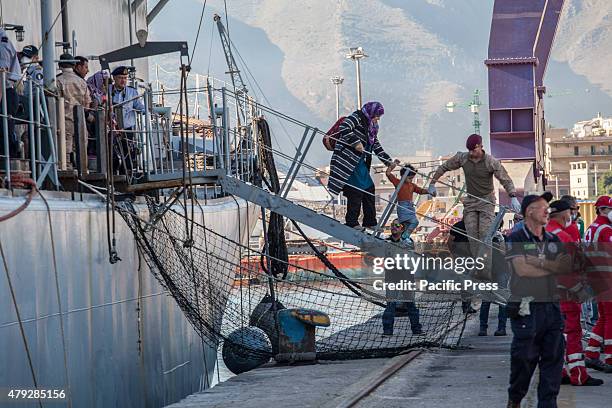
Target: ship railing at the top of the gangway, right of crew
[{"x": 169, "y": 147}]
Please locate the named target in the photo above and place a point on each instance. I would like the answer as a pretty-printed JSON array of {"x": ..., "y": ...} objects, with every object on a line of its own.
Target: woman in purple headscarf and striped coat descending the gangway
[{"x": 350, "y": 163}]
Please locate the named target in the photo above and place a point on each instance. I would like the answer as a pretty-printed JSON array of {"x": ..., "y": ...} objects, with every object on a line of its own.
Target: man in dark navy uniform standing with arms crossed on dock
[{"x": 535, "y": 256}]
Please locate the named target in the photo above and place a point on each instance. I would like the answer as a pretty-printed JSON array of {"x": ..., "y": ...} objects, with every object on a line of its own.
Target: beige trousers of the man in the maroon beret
[{"x": 478, "y": 216}]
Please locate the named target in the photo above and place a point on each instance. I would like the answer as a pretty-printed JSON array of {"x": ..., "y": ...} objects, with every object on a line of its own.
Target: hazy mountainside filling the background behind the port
[{"x": 422, "y": 54}]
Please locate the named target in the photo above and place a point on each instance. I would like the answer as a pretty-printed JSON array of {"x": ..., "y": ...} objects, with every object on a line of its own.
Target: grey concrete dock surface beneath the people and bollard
[{"x": 476, "y": 376}]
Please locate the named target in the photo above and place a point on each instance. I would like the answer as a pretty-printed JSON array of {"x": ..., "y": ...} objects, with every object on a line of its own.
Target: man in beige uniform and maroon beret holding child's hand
[{"x": 479, "y": 205}]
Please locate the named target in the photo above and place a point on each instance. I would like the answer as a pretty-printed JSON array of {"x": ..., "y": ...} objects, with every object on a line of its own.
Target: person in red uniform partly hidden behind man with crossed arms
[{"x": 574, "y": 371}]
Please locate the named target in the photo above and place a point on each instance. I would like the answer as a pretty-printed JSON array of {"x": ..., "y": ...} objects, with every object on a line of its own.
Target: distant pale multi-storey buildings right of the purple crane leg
[{"x": 587, "y": 142}]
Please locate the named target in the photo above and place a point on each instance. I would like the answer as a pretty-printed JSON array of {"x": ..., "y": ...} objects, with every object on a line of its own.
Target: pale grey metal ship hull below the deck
[{"x": 127, "y": 342}]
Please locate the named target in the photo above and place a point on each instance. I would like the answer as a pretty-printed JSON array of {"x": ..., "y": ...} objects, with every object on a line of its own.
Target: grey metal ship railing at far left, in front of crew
[{"x": 35, "y": 116}]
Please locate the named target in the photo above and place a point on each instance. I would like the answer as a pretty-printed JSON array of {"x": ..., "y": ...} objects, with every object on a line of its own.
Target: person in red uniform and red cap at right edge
[{"x": 599, "y": 266}]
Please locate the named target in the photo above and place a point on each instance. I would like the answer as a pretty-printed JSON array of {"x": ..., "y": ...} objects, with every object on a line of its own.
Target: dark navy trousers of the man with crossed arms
[{"x": 538, "y": 341}]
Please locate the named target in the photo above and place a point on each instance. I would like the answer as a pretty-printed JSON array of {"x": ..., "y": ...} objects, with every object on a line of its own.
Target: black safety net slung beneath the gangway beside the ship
[{"x": 221, "y": 290}]
